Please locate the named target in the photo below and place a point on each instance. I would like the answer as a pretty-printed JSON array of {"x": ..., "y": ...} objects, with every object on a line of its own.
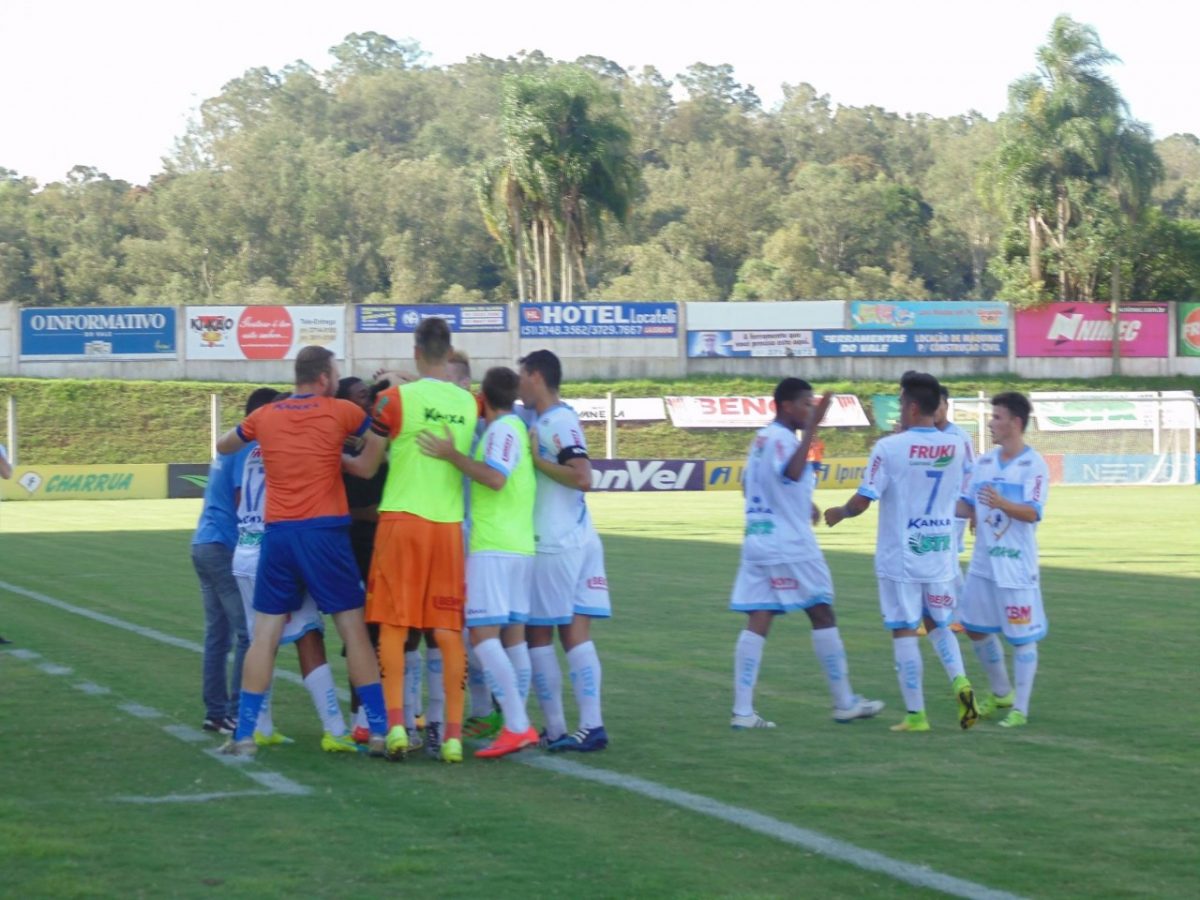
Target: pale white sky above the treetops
[{"x": 112, "y": 85}]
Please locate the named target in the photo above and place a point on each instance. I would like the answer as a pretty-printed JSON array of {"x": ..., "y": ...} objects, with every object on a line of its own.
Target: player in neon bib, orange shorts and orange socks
[{"x": 417, "y": 573}]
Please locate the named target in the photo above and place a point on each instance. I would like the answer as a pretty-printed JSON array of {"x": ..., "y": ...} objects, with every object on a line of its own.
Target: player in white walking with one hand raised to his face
[{"x": 783, "y": 568}]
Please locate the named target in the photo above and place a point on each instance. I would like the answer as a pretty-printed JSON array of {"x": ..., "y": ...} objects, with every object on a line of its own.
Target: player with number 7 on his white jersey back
[{"x": 917, "y": 477}]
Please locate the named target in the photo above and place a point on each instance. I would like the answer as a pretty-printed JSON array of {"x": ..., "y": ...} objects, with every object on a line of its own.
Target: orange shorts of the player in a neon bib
[{"x": 418, "y": 577}]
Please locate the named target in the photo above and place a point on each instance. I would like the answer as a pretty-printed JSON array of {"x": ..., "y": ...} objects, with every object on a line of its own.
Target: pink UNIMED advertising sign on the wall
[{"x": 1087, "y": 331}]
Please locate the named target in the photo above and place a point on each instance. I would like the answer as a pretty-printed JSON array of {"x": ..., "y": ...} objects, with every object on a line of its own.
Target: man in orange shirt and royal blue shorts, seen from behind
[{"x": 307, "y": 543}]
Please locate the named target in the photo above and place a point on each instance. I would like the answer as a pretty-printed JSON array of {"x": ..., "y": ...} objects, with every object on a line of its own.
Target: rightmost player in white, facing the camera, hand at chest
[{"x": 1007, "y": 497}]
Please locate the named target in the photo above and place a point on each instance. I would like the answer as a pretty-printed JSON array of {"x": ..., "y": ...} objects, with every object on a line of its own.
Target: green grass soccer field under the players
[{"x": 1097, "y": 797}]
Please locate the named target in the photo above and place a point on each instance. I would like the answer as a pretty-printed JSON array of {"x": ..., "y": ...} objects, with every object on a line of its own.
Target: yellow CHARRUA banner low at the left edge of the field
[{"x": 87, "y": 483}]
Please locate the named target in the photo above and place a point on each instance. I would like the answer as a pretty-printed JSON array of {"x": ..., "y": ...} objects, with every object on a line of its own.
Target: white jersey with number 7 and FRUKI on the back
[{"x": 917, "y": 478}]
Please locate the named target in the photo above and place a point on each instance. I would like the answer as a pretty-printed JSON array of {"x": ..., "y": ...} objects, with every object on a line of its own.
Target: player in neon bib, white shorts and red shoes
[{"x": 500, "y": 563}]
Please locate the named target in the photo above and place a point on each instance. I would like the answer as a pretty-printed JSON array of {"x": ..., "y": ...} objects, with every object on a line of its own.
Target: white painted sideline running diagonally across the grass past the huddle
[{"x": 785, "y": 832}]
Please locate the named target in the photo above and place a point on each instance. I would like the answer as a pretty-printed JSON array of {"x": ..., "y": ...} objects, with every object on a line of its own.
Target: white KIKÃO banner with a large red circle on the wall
[{"x": 263, "y": 333}]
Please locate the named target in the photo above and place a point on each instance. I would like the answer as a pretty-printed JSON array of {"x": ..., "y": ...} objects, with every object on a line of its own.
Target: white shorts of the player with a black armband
[{"x": 571, "y": 584}]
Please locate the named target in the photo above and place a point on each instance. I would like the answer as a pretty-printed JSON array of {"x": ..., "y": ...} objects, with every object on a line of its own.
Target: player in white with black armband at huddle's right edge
[{"x": 571, "y": 586}]
